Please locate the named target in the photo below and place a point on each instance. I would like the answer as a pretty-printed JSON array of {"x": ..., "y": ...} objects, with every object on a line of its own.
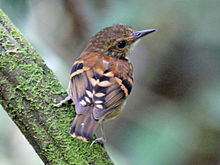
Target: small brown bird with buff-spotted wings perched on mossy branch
[{"x": 101, "y": 79}]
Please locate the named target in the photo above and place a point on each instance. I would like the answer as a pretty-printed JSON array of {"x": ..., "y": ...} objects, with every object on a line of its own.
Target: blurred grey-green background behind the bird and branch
[{"x": 173, "y": 114}]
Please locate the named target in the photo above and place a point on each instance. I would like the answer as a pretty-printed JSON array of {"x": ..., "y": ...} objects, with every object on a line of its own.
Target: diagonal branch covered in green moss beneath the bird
[{"x": 28, "y": 91}]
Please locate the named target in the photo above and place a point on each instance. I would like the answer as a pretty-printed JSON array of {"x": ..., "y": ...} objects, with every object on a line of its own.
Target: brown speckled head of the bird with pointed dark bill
[{"x": 116, "y": 40}]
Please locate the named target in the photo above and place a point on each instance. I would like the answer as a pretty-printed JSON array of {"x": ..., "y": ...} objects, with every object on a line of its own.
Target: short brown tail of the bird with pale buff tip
[{"x": 83, "y": 126}]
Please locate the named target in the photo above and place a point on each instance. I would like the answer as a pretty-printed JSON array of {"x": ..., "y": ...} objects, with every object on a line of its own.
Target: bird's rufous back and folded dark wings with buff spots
[{"x": 100, "y": 81}]
